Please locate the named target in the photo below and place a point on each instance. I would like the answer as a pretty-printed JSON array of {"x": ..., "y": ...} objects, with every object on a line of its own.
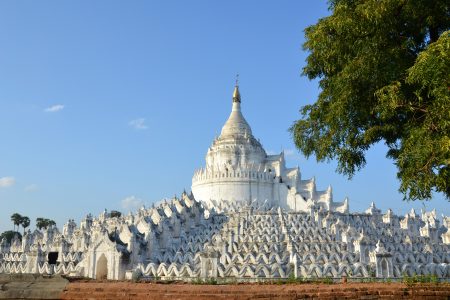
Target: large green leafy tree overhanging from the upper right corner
[{"x": 384, "y": 71}]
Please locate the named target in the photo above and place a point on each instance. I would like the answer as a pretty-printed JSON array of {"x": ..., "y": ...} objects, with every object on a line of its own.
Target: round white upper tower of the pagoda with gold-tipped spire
[{"x": 239, "y": 172}]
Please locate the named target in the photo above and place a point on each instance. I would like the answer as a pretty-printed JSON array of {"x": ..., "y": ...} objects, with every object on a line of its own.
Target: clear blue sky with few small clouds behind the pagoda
[{"x": 109, "y": 104}]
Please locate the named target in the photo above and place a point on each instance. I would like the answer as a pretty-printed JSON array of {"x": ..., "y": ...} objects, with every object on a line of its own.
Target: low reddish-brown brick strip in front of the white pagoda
[{"x": 129, "y": 290}]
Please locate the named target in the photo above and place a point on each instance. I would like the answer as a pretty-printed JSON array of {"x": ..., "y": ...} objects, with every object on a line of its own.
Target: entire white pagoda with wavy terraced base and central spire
[{"x": 248, "y": 217}]
